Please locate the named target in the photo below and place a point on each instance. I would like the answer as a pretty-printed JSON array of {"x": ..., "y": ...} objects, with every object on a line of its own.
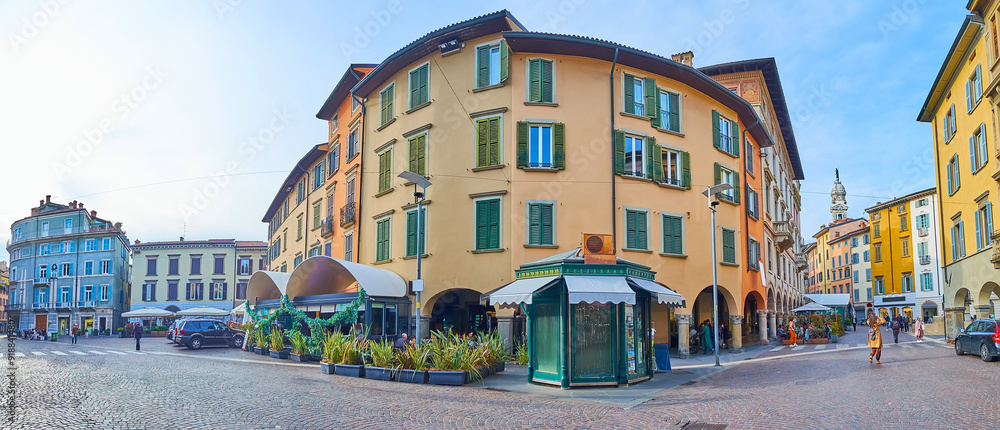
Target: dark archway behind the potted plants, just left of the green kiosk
[{"x": 460, "y": 311}]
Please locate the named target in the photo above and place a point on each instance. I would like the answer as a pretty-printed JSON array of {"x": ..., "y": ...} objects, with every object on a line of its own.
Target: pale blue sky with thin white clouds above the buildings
[{"x": 183, "y": 118}]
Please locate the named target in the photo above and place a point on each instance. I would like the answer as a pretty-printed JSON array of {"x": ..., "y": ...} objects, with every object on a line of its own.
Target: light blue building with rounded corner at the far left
[{"x": 67, "y": 267}]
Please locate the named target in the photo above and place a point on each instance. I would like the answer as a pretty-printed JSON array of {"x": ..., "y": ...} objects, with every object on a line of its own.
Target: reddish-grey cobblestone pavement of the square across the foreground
[{"x": 917, "y": 386}]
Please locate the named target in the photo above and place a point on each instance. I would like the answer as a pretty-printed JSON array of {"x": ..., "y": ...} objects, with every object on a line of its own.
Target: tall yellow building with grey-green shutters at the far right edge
[{"x": 964, "y": 129}]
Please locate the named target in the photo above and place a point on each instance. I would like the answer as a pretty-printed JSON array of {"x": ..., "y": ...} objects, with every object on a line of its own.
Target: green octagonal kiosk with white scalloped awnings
[{"x": 588, "y": 324}]
